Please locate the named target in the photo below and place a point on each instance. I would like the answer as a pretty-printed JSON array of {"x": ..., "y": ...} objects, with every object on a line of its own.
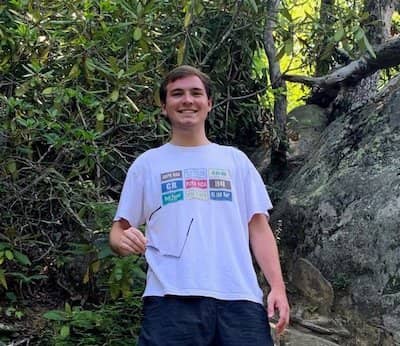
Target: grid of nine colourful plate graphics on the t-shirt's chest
[{"x": 196, "y": 183}]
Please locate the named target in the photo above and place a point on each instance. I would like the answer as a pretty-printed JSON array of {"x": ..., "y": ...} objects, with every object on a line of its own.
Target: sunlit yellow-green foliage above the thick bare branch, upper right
[{"x": 302, "y": 34}]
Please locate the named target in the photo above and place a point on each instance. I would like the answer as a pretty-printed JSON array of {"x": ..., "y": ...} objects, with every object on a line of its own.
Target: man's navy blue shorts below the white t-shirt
[{"x": 202, "y": 321}]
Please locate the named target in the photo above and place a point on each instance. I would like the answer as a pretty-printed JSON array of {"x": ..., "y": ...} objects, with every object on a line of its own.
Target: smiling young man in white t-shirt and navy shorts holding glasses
[{"x": 203, "y": 205}]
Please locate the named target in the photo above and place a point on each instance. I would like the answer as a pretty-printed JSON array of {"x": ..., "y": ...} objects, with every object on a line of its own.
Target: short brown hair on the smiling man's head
[{"x": 182, "y": 72}]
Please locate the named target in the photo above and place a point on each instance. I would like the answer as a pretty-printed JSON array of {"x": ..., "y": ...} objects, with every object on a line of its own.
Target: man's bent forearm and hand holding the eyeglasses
[{"x": 126, "y": 240}]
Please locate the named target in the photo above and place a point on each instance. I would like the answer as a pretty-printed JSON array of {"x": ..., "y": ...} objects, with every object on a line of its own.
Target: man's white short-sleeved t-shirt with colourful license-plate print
[{"x": 196, "y": 203}]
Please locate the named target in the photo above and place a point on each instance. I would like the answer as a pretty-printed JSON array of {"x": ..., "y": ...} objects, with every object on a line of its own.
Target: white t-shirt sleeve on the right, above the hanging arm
[{"x": 257, "y": 198}]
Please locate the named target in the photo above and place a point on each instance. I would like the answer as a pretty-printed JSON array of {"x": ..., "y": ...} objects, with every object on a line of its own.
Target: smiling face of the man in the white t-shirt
[{"x": 186, "y": 103}]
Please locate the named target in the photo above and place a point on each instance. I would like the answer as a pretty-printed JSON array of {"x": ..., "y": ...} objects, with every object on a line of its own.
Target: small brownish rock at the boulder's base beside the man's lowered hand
[{"x": 312, "y": 285}]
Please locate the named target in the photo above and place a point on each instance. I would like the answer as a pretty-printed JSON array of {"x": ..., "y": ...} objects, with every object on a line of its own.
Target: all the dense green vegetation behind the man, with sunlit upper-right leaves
[{"x": 78, "y": 102}]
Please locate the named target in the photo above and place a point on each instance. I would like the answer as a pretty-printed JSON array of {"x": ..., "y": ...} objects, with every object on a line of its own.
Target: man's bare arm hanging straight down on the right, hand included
[{"x": 265, "y": 250}]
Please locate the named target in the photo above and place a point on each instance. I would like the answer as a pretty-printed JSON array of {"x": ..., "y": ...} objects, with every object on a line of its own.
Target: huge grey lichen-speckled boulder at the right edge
[{"x": 341, "y": 209}]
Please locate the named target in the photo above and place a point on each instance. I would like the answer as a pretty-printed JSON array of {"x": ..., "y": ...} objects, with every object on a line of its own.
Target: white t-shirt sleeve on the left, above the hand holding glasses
[{"x": 130, "y": 206}]
